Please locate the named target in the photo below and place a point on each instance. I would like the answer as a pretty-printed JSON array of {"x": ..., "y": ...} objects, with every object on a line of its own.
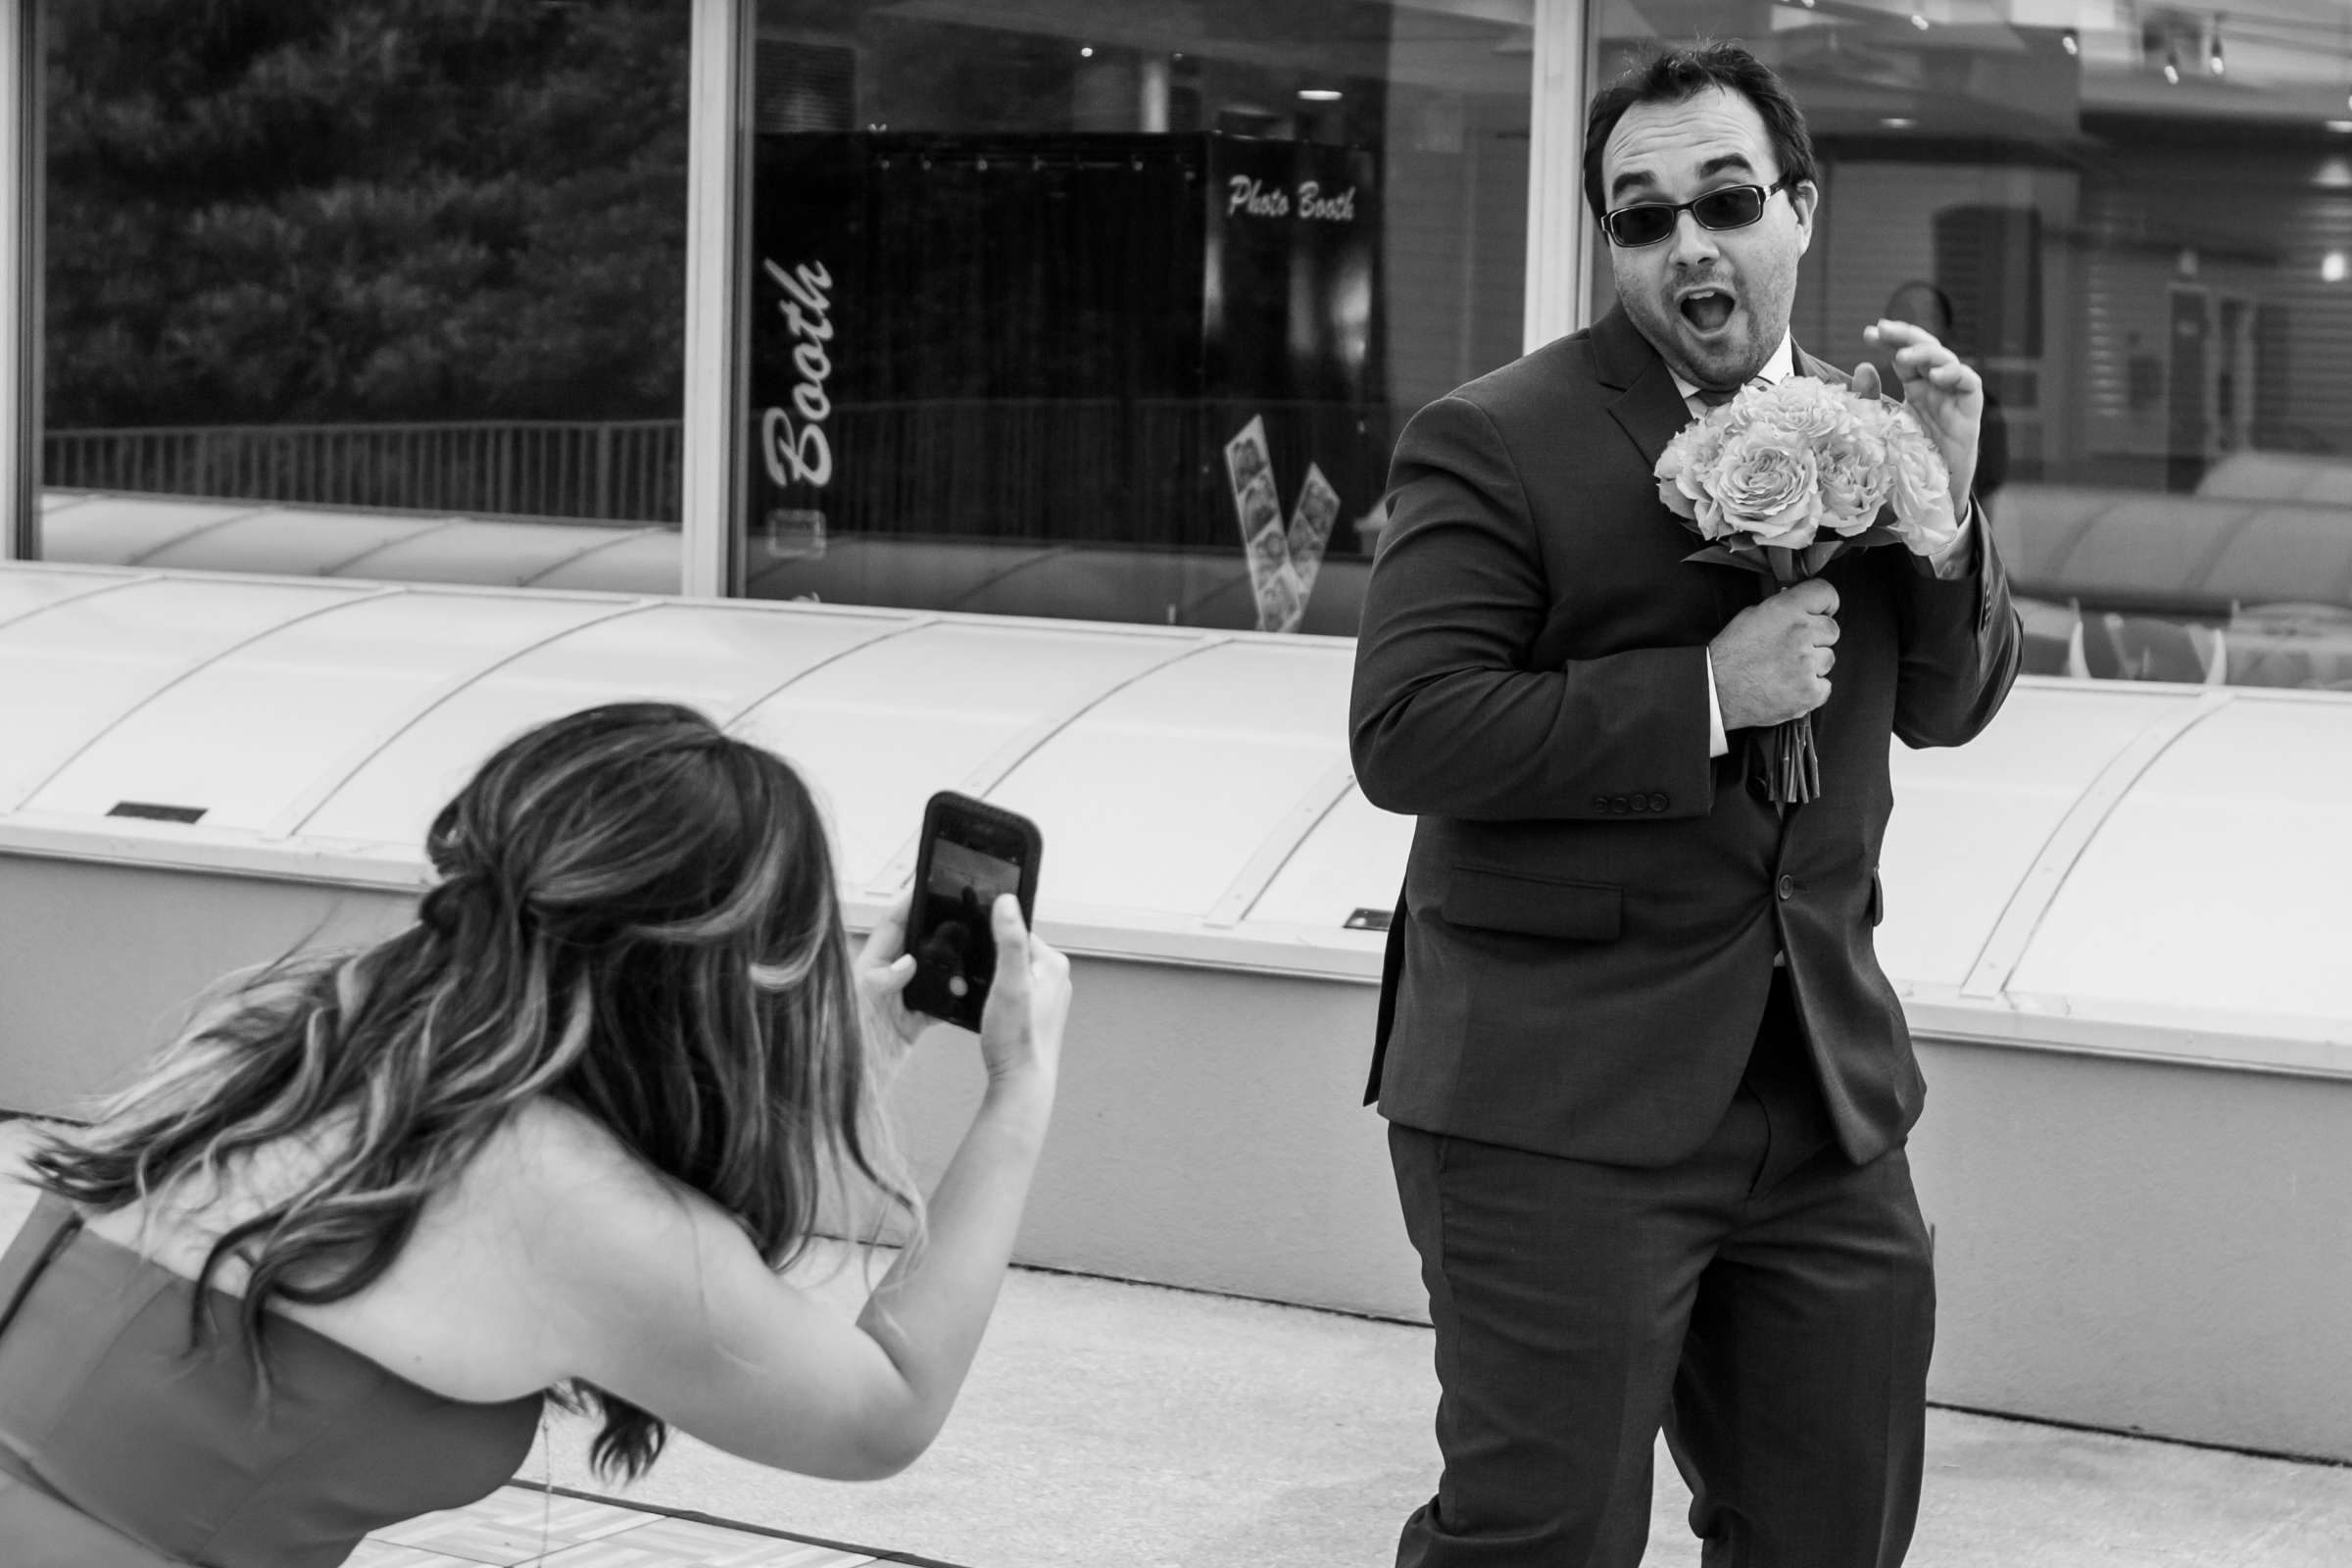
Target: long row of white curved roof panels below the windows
[{"x": 2111, "y": 869}]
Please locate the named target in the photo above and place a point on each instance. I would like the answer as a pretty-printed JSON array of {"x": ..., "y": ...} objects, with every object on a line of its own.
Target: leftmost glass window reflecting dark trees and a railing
[{"x": 368, "y": 290}]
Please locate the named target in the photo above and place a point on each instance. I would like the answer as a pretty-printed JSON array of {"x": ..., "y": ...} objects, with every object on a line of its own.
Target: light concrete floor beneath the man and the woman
[{"x": 1116, "y": 1426}]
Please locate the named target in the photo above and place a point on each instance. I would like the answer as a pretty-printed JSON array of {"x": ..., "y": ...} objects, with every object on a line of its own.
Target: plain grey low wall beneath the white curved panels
[{"x": 2125, "y": 1245}]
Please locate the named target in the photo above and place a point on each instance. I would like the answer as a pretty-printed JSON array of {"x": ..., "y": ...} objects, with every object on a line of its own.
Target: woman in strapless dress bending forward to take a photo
[{"x": 326, "y": 1261}]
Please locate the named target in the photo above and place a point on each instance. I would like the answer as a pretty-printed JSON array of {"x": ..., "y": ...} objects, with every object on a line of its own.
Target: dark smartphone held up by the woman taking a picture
[{"x": 970, "y": 855}]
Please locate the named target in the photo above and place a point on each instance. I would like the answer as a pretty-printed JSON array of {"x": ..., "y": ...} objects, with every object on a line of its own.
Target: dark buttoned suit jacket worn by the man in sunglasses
[{"x": 1591, "y": 906}]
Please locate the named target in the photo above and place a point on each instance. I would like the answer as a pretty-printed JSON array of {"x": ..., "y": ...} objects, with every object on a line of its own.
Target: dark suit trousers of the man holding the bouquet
[{"x": 1765, "y": 1301}]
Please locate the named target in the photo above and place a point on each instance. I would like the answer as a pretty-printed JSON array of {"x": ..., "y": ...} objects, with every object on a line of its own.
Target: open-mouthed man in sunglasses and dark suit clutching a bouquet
[{"x": 1645, "y": 1080}]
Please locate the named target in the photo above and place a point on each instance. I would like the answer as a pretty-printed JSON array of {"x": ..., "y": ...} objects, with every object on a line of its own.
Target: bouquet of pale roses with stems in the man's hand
[{"x": 1782, "y": 481}]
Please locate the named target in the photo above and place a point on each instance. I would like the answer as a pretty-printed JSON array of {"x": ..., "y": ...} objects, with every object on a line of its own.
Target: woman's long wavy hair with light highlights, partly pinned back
[{"x": 634, "y": 916}]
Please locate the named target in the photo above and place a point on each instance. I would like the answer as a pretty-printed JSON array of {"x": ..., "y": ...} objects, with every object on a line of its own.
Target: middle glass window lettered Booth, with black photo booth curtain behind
[{"x": 1109, "y": 309}]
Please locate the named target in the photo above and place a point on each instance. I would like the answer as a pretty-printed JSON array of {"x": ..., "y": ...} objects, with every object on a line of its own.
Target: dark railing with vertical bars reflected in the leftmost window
[{"x": 606, "y": 471}]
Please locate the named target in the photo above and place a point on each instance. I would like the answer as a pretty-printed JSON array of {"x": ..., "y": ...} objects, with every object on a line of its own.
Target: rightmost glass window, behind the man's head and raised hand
[{"x": 2137, "y": 225}]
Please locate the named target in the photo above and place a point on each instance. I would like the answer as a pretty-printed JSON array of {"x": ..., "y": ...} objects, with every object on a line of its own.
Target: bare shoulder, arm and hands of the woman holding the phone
[{"x": 660, "y": 1299}]
